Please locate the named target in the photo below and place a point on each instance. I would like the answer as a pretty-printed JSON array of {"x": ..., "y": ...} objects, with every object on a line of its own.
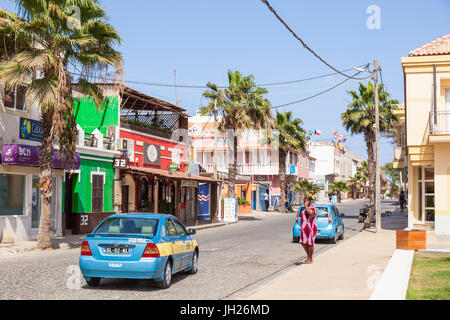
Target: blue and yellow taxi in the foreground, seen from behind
[{"x": 138, "y": 246}]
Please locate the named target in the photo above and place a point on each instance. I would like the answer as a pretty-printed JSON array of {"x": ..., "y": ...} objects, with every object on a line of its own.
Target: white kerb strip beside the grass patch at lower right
[{"x": 393, "y": 284}]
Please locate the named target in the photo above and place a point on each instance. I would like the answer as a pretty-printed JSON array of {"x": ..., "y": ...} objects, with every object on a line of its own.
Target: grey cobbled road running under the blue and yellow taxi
[{"x": 232, "y": 258}]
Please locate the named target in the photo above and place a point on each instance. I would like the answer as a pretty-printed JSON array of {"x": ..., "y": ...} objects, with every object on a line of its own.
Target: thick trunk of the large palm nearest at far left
[{"x": 46, "y": 170}]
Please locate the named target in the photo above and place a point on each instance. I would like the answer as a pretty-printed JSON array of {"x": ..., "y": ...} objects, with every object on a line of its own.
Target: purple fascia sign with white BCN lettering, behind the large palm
[{"x": 24, "y": 155}]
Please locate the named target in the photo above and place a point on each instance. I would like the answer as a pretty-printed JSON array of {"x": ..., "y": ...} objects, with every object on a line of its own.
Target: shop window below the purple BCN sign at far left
[{"x": 12, "y": 191}]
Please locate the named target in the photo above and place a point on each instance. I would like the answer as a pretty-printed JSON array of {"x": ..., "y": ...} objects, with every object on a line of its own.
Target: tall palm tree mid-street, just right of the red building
[{"x": 242, "y": 106}]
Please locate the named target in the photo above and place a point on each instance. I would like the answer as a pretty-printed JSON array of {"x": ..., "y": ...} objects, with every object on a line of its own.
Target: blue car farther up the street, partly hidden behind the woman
[{"x": 329, "y": 223}]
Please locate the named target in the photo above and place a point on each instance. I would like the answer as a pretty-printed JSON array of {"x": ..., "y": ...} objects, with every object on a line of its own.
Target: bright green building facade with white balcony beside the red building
[{"x": 88, "y": 192}]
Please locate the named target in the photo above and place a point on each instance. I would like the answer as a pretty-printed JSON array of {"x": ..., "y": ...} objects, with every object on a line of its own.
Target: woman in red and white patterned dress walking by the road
[{"x": 308, "y": 228}]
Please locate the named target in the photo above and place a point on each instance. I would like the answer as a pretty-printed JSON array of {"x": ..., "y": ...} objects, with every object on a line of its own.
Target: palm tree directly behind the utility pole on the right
[{"x": 360, "y": 118}]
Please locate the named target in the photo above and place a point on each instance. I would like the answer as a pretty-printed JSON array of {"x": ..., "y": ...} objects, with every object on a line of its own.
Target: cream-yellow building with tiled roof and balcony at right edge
[{"x": 426, "y": 151}]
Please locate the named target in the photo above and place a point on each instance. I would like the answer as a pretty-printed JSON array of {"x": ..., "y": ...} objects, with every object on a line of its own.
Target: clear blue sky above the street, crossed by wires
[{"x": 202, "y": 39}]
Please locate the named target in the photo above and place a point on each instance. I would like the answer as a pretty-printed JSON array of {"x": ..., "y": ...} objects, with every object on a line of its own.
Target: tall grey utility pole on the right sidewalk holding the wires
[{"x": 377, "y": 142}]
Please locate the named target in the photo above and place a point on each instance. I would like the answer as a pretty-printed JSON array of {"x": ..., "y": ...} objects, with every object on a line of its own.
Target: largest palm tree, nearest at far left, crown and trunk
[{"x": 52, "y": 43}]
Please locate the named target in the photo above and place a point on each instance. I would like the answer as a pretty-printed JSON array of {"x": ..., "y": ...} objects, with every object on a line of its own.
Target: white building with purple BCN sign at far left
[{"x": 20, "y": 133}]
